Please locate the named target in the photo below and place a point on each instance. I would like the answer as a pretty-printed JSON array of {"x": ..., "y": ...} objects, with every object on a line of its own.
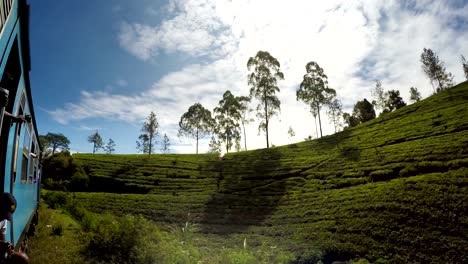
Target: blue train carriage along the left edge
[{"x": 19, "y": 143}]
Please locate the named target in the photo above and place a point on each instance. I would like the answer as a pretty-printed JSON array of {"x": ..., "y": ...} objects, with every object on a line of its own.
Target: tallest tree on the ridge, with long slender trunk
[{"x": 262, "y": 79}]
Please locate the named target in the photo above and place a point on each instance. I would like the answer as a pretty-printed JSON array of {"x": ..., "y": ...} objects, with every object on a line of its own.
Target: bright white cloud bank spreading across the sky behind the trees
[{"x": 355, "y": 43}]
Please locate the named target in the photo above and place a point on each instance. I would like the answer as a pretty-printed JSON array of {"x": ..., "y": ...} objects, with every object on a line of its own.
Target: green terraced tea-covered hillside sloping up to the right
[{"x": 393, "y": 188}]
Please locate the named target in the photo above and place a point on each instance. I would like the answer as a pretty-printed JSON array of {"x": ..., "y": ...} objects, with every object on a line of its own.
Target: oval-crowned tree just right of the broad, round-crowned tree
[{"x": 228, "y": 116}]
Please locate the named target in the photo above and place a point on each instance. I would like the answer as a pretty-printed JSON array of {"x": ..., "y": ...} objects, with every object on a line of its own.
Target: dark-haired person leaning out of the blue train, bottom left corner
[{"x": 8, "y": 255}]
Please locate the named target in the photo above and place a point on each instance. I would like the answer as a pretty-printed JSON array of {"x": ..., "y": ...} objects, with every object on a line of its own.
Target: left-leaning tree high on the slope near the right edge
[{"x": 435, "y": 70}]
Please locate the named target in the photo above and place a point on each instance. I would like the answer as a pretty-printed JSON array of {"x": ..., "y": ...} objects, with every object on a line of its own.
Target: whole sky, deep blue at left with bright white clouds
[{"x": 104, "y": 65}]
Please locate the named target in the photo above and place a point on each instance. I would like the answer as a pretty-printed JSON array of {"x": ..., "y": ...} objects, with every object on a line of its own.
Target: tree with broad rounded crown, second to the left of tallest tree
[{"x": 196, "y": 123}]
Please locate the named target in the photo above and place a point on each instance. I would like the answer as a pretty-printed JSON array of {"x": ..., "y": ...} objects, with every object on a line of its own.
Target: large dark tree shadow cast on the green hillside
[{"x": 248, "y": 190}]
